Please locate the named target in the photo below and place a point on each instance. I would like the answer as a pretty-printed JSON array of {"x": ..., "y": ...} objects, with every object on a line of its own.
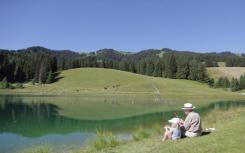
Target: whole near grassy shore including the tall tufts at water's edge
[{"x": 229, "y": 124}]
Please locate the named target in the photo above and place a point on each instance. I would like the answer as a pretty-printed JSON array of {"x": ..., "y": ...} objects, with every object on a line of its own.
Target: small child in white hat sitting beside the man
[{"x": 173, "y": 132}]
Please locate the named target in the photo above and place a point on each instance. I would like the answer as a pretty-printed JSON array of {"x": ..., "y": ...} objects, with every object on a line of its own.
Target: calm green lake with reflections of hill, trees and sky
[{"x": 67, "y": 123}]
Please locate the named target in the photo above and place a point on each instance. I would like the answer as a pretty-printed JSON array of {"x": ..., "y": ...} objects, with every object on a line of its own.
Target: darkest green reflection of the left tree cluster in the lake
[{"x": 26, "y": 118}]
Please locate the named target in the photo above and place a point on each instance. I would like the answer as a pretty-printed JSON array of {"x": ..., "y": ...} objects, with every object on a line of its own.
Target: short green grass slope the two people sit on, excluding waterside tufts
[{"x": 228, "y": 137}]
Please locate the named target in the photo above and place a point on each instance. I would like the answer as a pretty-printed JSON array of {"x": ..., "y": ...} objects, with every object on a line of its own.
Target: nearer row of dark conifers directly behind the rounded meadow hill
[{"x": 40, "y": 67}]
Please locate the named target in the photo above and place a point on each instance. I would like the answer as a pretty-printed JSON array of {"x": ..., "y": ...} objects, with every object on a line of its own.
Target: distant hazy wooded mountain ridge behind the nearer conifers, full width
[{"x": 114, "y": 55}]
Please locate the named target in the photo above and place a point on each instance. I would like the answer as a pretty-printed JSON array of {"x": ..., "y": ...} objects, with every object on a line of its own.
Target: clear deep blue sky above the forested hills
[{"x": 126, "y": 25}]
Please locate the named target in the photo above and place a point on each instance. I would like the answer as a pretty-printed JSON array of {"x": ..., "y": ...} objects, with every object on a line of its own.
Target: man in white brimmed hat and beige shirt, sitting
[{"x": 192, "y": 125}]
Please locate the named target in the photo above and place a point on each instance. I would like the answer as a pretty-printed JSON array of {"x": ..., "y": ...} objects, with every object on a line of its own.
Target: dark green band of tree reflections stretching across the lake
[{"x": 36, "y": 119}]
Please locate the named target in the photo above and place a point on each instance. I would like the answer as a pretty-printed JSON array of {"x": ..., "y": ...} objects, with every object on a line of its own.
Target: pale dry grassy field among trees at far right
[{"x": 229, "y": 72}]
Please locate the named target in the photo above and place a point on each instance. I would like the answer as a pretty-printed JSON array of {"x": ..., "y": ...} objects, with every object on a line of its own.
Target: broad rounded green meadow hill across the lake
[{"x": 107, "y": 81}]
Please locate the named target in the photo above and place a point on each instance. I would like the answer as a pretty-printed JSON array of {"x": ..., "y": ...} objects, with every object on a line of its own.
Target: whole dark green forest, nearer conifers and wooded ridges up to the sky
[{"x": 41, "y": 65}]
